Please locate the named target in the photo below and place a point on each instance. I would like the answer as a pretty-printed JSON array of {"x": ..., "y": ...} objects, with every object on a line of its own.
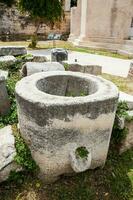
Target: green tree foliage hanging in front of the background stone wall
[{"x": 47, "y": 11}]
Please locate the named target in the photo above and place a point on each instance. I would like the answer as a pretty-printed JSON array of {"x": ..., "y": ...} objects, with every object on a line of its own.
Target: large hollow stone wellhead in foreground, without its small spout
[{"x": 64, "y": 110}]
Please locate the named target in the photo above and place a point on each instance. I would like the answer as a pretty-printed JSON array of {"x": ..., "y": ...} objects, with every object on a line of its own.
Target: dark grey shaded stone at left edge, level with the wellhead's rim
[{"x": 4, "y": 100}]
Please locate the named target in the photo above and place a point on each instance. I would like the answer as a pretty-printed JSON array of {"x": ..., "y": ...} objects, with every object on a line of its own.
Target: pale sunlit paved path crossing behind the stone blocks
[{"x": 113, "y": 66}]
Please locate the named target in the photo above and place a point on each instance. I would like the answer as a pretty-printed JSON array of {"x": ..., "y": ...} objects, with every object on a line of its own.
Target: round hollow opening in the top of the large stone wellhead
[{"x": 68, "y": 86}]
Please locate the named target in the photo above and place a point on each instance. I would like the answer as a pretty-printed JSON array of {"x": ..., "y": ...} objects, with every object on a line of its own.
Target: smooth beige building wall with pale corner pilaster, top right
[{"x": 107, "y": 21}]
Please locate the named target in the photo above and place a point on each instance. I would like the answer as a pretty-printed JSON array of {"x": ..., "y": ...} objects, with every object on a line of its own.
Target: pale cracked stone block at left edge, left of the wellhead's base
[{"x": 7, "y": 153}]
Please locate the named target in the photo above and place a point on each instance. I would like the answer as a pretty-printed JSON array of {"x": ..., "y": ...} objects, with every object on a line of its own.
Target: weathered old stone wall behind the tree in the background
[{"x": 12, "y": 22}]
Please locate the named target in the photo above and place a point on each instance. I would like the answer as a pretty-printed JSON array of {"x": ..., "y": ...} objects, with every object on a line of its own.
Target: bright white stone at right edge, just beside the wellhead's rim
[{"x": 127, "y": 98}]
